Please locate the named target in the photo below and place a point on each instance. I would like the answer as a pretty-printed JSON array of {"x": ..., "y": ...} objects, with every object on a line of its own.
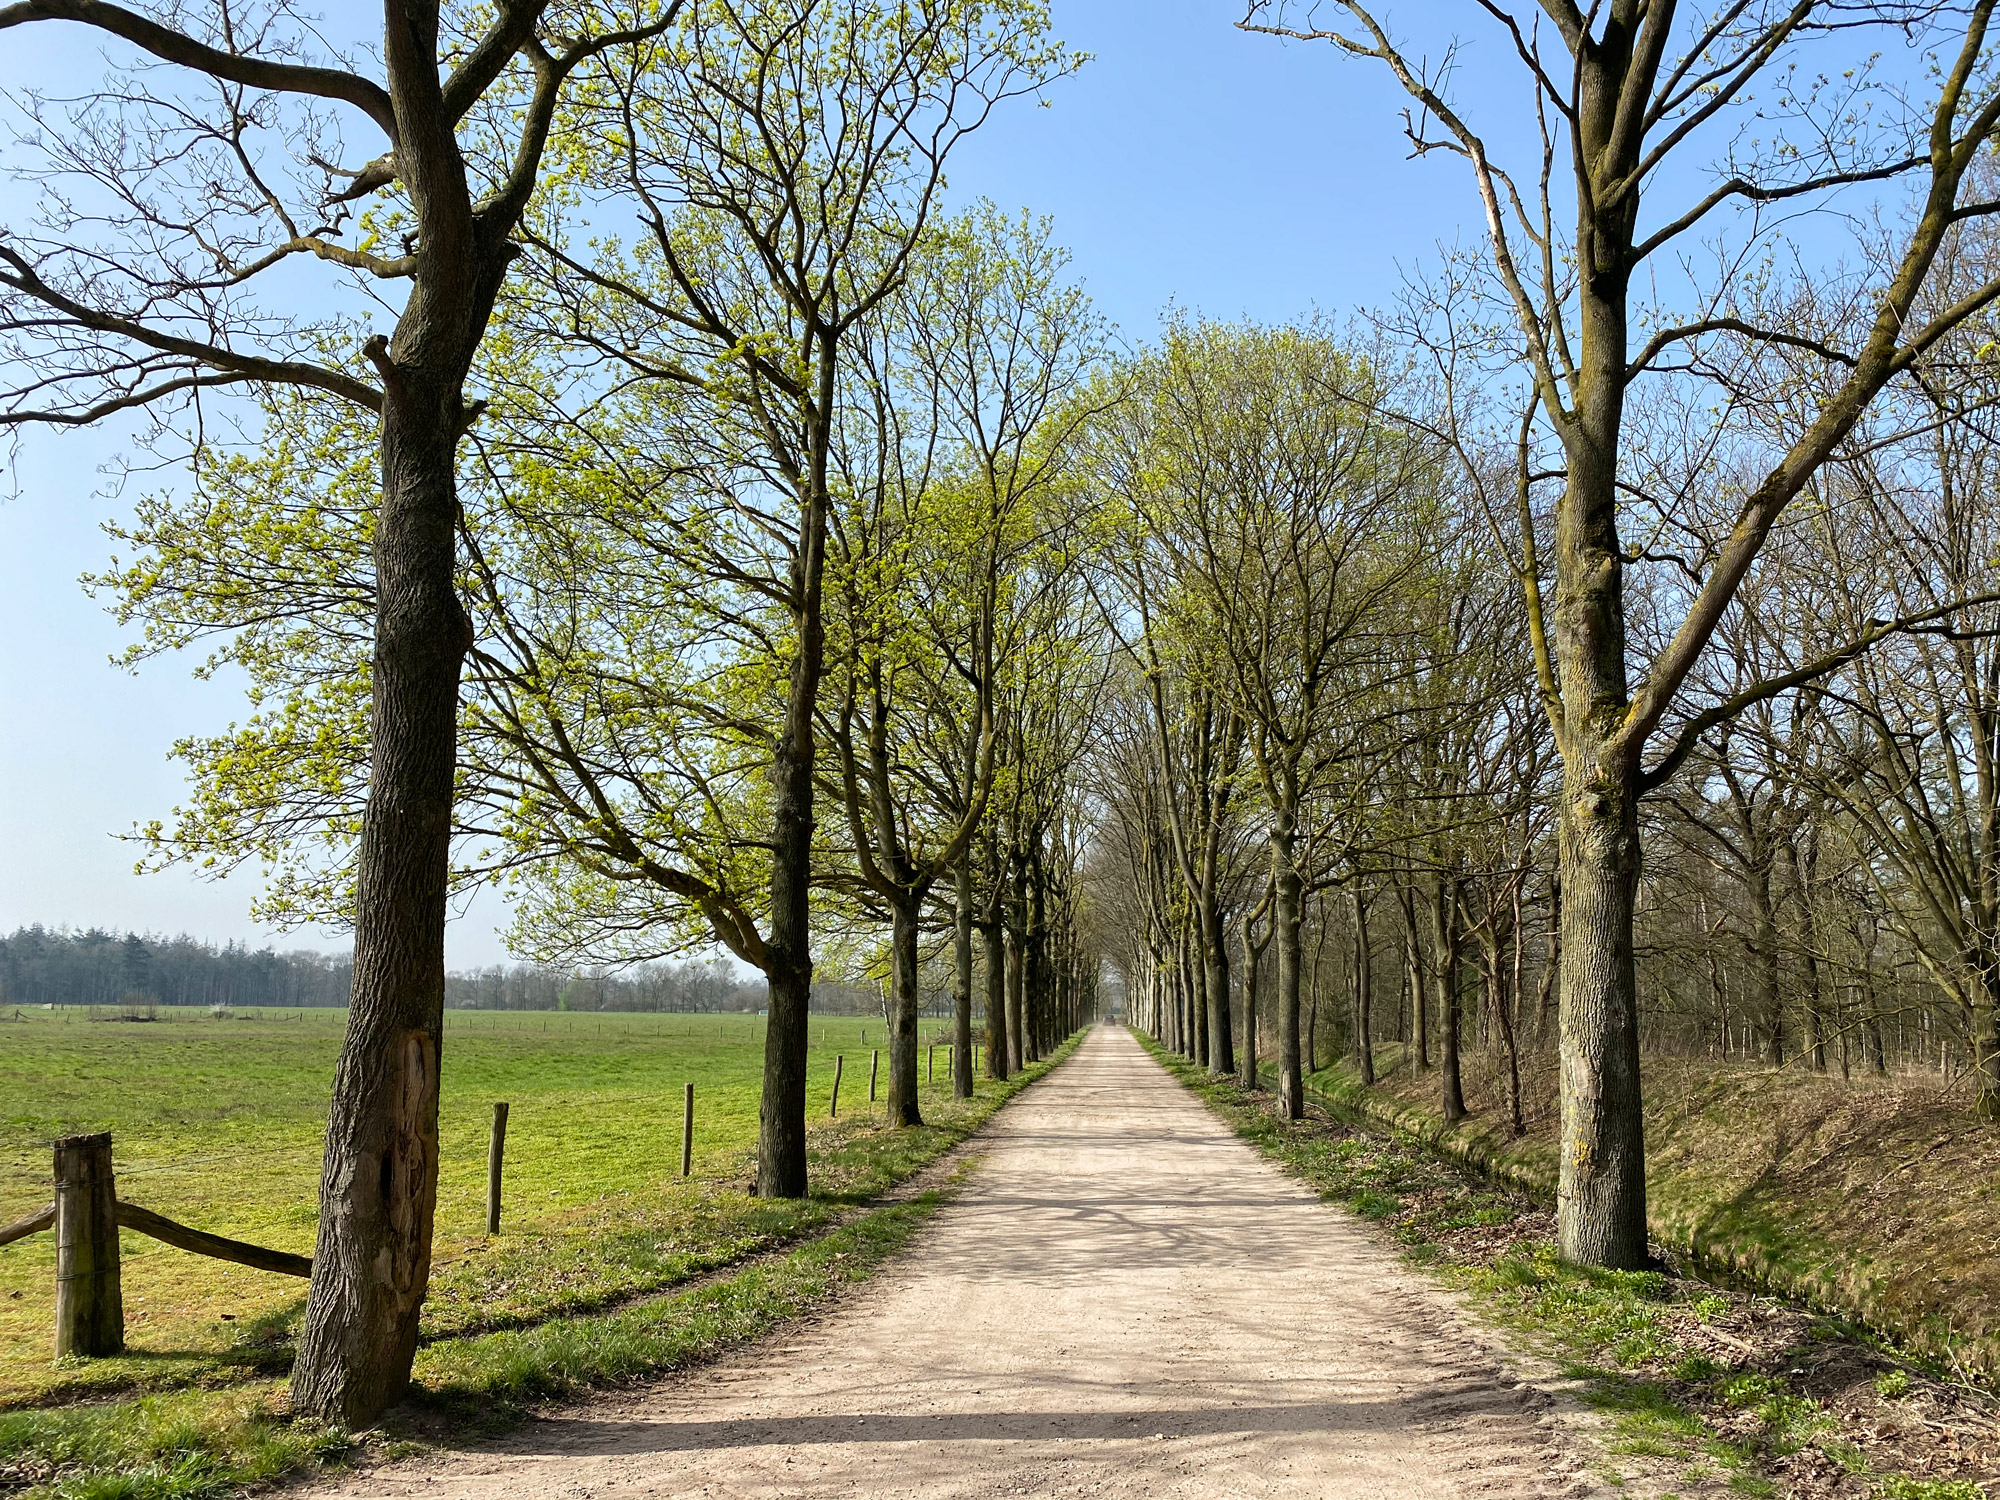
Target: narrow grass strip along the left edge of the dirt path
[{"x": 207, "y": 1443}]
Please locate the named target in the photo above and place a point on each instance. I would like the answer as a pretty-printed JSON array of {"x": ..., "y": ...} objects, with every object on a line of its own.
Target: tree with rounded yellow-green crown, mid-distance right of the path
[{"x": 1281, "y": 519}]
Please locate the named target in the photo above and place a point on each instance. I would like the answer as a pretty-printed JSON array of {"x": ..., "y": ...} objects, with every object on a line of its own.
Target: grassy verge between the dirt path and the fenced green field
[{"x": 235, "y": 1431}]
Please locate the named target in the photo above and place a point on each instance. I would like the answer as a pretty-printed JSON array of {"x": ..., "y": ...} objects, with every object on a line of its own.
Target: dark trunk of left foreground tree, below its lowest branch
[{"x": 379, "y": 1185}]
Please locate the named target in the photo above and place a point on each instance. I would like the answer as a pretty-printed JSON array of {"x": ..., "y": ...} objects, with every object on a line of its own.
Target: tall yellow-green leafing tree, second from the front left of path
[{"x": 655, "y": 483}]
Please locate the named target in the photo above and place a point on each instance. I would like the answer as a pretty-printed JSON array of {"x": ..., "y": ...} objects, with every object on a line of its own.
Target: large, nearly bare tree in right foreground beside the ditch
[{"x": 1621, "y": 97}]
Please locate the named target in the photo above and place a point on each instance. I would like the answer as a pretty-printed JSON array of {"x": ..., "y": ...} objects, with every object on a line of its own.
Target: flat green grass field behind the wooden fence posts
[{"x": 219, "y": 1123}]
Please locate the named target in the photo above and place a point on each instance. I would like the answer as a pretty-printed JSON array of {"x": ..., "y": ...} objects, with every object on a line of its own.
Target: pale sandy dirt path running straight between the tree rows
[{"x": 1125, "y": 1301}]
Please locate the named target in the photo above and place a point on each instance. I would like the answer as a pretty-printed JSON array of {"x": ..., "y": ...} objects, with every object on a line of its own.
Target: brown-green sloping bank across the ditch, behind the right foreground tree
[{"x": 1869, "y": 1199}]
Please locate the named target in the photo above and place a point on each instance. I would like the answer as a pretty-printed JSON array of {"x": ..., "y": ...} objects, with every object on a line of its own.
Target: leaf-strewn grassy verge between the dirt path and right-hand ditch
[{"x": 1711, "y": 1385}]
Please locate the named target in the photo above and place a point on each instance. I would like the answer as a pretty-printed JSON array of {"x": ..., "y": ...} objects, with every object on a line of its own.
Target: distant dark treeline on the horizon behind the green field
[{"x": 41, "y": 967}]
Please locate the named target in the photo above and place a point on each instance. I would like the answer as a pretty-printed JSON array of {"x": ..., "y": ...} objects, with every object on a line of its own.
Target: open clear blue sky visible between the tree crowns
[{"x": 1187, "y": 165}]
